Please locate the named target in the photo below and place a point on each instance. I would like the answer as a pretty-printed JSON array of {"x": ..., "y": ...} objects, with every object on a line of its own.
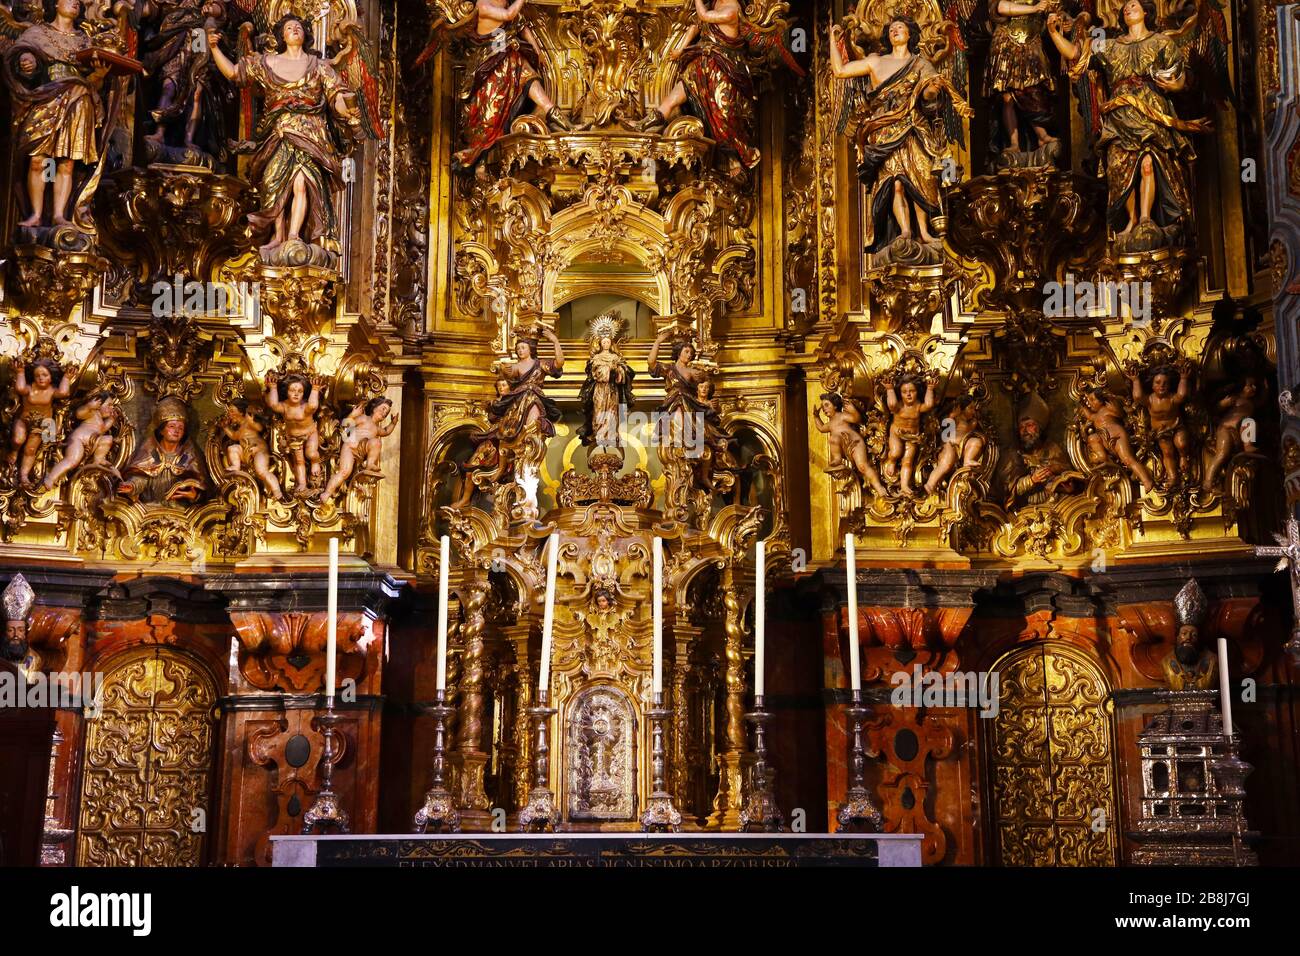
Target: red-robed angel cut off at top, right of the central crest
[{"x": 716, "y": 79}]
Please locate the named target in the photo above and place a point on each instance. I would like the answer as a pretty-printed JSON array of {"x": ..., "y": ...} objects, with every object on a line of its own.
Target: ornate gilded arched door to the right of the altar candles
[{"x": 1052, "y": 762}]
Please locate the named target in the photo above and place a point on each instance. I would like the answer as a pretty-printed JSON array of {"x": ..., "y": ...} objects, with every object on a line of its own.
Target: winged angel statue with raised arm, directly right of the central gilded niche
[{"x": 903, "y": 73}]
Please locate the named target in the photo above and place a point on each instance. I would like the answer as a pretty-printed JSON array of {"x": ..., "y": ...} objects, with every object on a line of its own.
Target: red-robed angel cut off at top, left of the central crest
[{"x": 504, "y": 75}]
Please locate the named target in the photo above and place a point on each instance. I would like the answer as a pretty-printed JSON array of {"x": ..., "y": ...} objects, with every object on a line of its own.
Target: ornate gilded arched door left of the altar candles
[{"x": 148, "y": 763}]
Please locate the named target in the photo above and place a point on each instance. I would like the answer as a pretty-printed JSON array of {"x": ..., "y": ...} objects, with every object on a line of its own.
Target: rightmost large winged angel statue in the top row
[{"x": 1125, "y": 86}]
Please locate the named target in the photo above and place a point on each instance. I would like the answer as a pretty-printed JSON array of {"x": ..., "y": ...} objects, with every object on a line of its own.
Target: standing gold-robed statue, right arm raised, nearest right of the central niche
[{"x": 902, "y": 113}]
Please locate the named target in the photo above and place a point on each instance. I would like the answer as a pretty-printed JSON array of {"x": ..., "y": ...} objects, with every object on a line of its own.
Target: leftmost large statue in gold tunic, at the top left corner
[{"x": 55, "y": 73}]
